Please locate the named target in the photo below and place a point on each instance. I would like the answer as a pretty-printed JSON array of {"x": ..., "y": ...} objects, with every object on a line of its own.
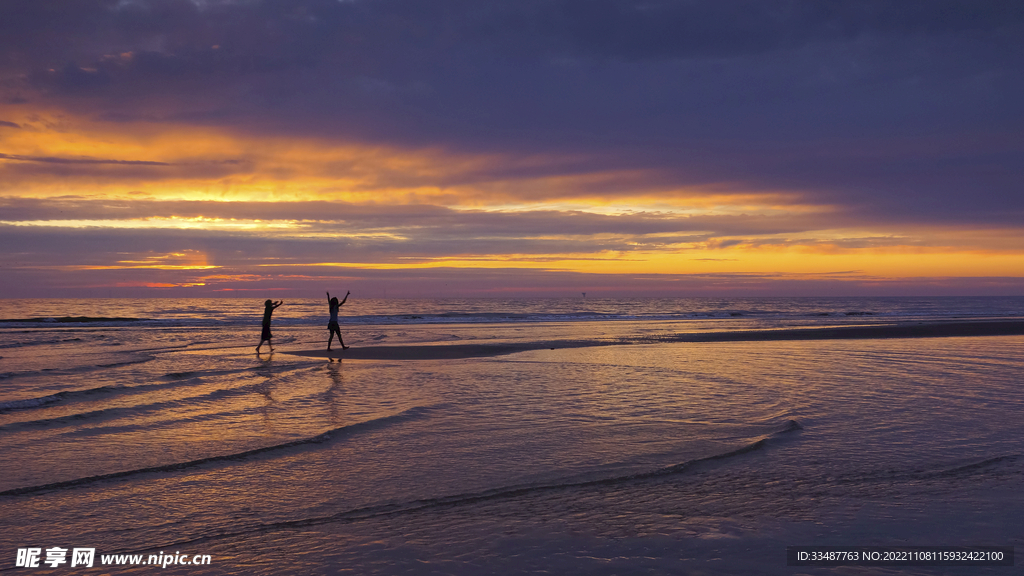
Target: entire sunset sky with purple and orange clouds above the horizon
[{"x": 450, "y": 148}]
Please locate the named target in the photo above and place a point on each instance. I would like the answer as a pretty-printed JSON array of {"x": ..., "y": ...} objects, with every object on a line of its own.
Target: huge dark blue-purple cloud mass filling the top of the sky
[{"x": 884, "y": 108}]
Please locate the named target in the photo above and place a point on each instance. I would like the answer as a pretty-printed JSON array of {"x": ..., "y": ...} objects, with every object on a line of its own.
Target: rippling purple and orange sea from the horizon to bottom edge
[{"x": 578, "y": 436}]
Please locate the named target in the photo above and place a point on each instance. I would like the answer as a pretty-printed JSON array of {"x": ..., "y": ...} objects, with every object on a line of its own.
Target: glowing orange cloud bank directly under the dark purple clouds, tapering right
[{"x": 56, "y": 155}]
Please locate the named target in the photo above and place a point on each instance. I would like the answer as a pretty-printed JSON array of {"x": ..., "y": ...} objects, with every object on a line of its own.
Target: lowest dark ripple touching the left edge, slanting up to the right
[{"x": 323, "y": 438}]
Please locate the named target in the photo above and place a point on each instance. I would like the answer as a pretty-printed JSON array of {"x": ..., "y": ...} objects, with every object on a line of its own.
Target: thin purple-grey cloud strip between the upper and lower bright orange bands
[{"x": 423, "y": 223}]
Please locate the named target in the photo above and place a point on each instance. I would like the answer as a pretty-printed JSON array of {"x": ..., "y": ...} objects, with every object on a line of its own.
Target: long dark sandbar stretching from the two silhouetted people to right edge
[{"x": 905, "y": 331}]
